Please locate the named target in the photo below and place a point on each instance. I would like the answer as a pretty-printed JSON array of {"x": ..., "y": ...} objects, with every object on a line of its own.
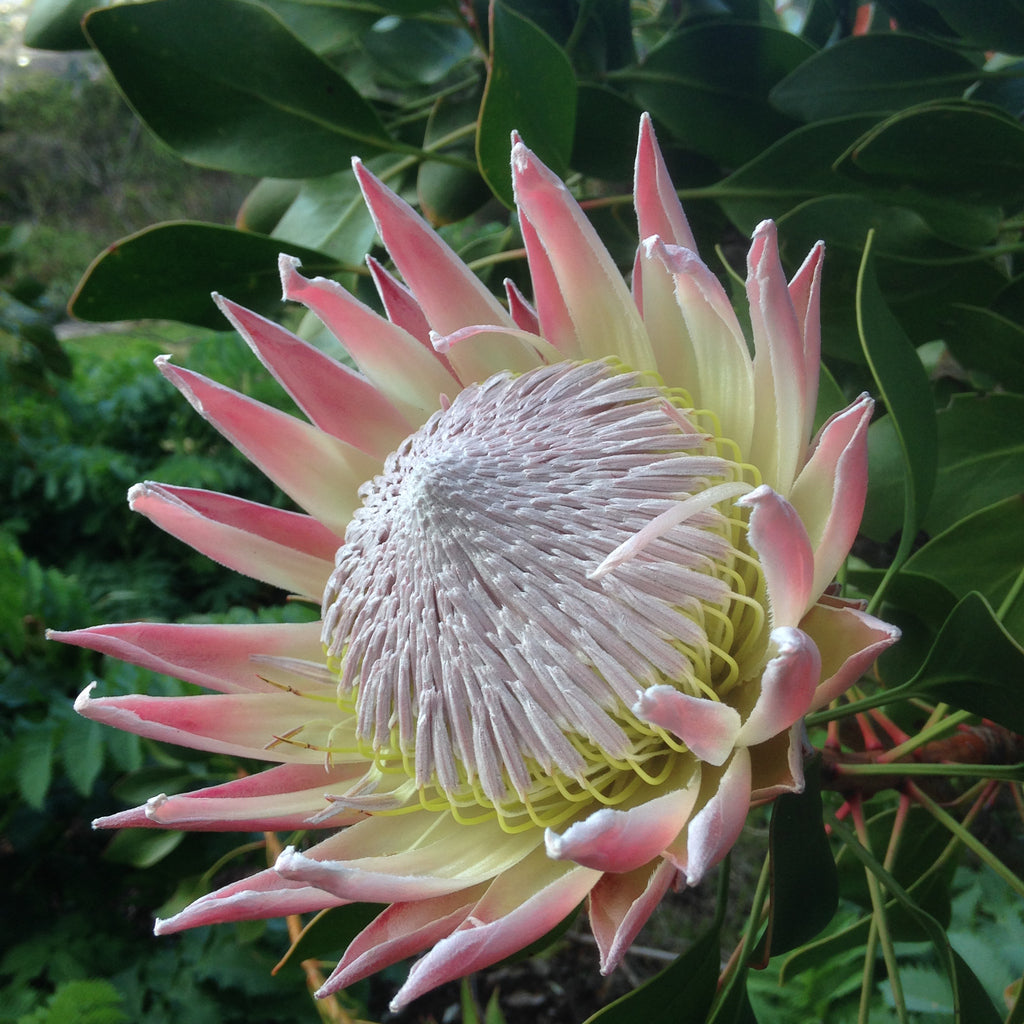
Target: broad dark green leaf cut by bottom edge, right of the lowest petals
[{"x": 682, "y": 994}]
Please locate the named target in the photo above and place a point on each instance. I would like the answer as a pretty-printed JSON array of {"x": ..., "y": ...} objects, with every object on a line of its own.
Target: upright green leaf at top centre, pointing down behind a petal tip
[{"x": 531, "y": 90}]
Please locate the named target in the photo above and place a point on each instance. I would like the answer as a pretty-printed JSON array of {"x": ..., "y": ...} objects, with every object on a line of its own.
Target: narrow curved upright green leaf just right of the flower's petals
[{"x": 904, "y": 387}]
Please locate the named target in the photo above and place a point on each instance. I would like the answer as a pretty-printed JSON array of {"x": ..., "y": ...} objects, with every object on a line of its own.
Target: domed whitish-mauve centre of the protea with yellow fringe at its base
[{"x": 530, "y": 560}]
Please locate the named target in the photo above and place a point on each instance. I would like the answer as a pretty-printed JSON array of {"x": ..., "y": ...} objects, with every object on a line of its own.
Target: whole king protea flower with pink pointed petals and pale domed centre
[{"x": 575, "y": 562}]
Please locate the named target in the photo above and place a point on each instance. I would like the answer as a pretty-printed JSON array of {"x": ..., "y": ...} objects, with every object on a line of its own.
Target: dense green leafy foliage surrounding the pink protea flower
[{"x": 893, "y": 132}]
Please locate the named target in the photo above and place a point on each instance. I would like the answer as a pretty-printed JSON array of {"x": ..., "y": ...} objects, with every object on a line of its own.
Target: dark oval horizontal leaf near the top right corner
[{"x": 877, "y": 73}]
